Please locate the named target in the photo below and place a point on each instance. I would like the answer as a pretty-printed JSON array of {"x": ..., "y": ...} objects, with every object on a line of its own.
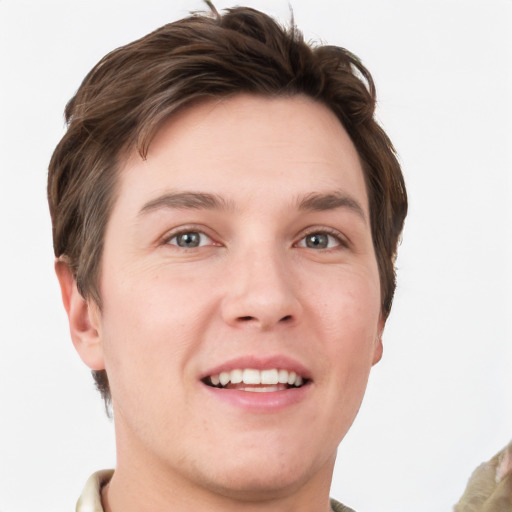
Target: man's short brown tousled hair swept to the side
[{"x": 129, "y": 94}]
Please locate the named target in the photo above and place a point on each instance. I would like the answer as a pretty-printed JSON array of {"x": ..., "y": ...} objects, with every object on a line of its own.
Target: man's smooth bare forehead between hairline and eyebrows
[{"x": 248, "y": 144}]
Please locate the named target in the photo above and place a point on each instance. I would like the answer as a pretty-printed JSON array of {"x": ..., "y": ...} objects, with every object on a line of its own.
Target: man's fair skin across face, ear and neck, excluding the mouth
[{"x": 255, "y": 287}]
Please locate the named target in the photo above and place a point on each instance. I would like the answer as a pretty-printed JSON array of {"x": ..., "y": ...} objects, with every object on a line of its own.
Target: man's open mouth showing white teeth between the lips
[{"x": 256, "y": 381}]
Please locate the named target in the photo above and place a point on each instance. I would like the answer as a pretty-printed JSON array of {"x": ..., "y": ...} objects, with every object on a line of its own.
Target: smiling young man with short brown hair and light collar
[{"x": 226, "y": 213}]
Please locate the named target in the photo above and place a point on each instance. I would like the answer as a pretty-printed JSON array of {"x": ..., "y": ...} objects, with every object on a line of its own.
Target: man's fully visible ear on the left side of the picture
[{"x": 83, "y": 319}]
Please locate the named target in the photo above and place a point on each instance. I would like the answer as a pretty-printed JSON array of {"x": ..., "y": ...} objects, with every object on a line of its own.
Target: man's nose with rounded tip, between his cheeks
[{"x": 260, "y": 292}]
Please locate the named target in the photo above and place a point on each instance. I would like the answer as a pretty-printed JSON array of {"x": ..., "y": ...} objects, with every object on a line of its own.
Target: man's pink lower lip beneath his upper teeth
[{"x": 272, "y": 401}]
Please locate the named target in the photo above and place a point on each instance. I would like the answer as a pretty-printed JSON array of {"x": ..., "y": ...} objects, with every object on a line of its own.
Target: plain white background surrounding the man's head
[{"x": 440, "y": 401}]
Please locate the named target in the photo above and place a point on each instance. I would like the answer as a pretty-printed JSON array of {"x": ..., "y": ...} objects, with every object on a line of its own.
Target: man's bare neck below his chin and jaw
[{"x": 142, "y": 484}]
